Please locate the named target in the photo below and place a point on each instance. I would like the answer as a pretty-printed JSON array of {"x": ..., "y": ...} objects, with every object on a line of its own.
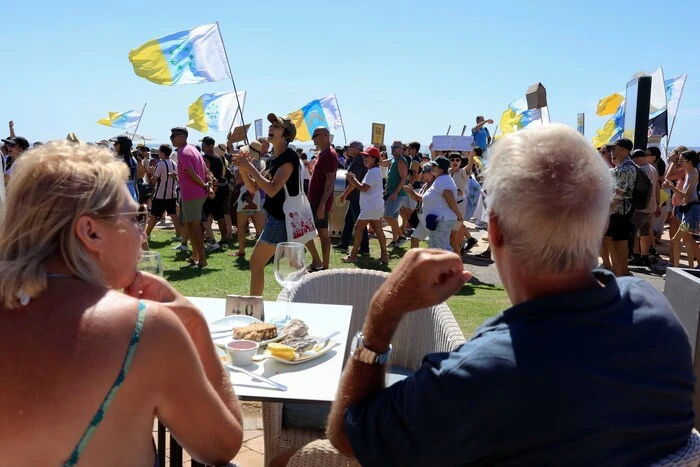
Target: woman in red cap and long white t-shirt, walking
[{"x": 371, "y": 204}]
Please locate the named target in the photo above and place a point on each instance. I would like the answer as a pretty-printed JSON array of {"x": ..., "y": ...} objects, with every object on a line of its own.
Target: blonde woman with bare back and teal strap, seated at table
[{"x": 91, "y": 366}]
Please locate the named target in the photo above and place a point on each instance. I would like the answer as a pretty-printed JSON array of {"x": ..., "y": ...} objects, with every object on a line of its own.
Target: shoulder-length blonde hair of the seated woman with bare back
[{"x": 52, "y": 187}]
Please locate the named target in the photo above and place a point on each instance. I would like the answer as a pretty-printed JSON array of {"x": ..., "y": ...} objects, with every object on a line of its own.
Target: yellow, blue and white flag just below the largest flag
[{"x": 216, "y": 111}]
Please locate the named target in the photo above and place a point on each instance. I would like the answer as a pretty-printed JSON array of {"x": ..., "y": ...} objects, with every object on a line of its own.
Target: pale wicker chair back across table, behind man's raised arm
[{"x": 421, "y": 332}]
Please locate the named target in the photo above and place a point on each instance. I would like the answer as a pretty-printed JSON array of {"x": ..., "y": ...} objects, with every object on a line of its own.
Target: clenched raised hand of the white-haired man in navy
[{"x": 421, "y": 279}]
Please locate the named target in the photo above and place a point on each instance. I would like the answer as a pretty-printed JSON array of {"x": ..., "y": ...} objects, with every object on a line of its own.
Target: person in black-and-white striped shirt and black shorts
[{"x": 166, "y": 187}]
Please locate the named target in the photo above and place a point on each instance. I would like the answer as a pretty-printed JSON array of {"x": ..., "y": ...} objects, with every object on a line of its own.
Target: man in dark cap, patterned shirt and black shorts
[{"x": 620, "y": 225}]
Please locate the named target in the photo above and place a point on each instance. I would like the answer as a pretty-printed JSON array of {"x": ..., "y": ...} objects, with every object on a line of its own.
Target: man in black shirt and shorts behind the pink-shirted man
[{"x": 215, "y": 208}]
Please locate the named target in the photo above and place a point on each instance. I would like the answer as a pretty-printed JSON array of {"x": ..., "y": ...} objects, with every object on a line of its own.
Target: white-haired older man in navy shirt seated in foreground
[{"x": 583, "y": 369}]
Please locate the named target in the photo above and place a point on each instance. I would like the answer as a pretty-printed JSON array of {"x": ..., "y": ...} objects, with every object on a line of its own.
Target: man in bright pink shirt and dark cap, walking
[{"x": 194, "y": 188}]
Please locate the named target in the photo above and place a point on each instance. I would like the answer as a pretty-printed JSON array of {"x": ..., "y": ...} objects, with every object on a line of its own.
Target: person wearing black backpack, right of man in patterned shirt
[{"x": 642, "y": 218}]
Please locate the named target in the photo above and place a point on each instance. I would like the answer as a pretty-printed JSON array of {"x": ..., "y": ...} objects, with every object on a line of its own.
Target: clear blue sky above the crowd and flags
[{"x": 416, "y": 66}]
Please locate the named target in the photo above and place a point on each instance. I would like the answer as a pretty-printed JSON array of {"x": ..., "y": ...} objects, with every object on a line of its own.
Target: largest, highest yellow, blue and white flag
[{"x": 185, "y": 57}]
